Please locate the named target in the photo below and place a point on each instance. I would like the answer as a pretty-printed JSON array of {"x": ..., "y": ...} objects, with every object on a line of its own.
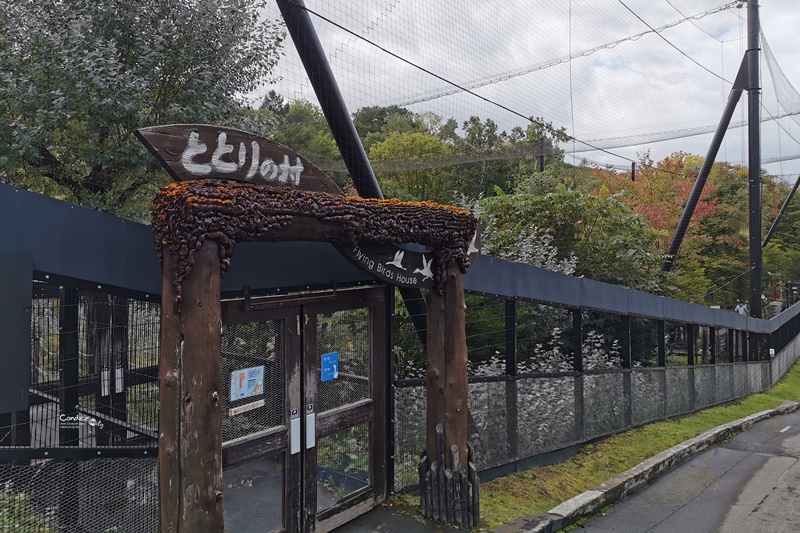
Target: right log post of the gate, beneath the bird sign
[{"x": 447, "y": 365}]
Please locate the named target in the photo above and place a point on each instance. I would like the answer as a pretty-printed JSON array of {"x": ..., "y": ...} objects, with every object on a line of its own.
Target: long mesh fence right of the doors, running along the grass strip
[{"x": 526, "y": 399}]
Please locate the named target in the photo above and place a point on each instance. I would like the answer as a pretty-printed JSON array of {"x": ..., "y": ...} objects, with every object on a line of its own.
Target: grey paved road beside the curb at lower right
[{"x": 750, "y": 484}]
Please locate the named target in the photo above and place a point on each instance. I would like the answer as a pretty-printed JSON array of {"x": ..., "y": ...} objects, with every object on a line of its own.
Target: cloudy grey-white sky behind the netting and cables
[{"x": 514, "y": 59}]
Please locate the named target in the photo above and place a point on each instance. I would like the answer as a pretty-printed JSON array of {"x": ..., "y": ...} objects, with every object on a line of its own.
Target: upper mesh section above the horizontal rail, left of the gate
[{"x": 93, "y": 370}]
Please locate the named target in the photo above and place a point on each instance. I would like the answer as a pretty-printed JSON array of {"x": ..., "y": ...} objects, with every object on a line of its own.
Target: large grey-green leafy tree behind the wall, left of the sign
[{"x": 78, "y": 76}]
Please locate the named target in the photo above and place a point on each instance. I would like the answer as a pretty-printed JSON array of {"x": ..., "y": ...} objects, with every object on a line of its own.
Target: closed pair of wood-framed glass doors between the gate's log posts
[{"x": 303, "y": 411}]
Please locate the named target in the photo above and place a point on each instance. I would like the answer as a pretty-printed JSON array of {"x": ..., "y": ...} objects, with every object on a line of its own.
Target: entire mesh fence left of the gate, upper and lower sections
[{"x": 93, "y": 392}]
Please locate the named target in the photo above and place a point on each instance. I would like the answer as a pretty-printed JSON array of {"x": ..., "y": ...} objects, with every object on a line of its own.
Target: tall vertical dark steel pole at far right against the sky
[{"x": 754, "y": 152}]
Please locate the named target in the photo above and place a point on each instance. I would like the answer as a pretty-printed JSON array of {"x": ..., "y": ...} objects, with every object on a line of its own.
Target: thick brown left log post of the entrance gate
[{"x": 190, "y": 426}]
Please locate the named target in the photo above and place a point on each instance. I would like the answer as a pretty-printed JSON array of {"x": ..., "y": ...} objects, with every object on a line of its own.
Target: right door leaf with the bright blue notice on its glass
[{"x": 344, "y": 388}]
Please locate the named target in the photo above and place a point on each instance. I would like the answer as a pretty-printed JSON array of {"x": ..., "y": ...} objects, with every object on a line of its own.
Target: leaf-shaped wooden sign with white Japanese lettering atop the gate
[{"x": 197, "y": 151}]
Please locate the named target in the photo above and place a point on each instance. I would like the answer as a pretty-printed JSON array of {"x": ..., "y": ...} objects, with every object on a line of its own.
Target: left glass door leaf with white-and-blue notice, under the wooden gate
[{"x": 261, "y": 380}]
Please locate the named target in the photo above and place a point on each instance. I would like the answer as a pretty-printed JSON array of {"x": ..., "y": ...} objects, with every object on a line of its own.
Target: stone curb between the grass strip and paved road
[{"x": 625, "y": 484}]
